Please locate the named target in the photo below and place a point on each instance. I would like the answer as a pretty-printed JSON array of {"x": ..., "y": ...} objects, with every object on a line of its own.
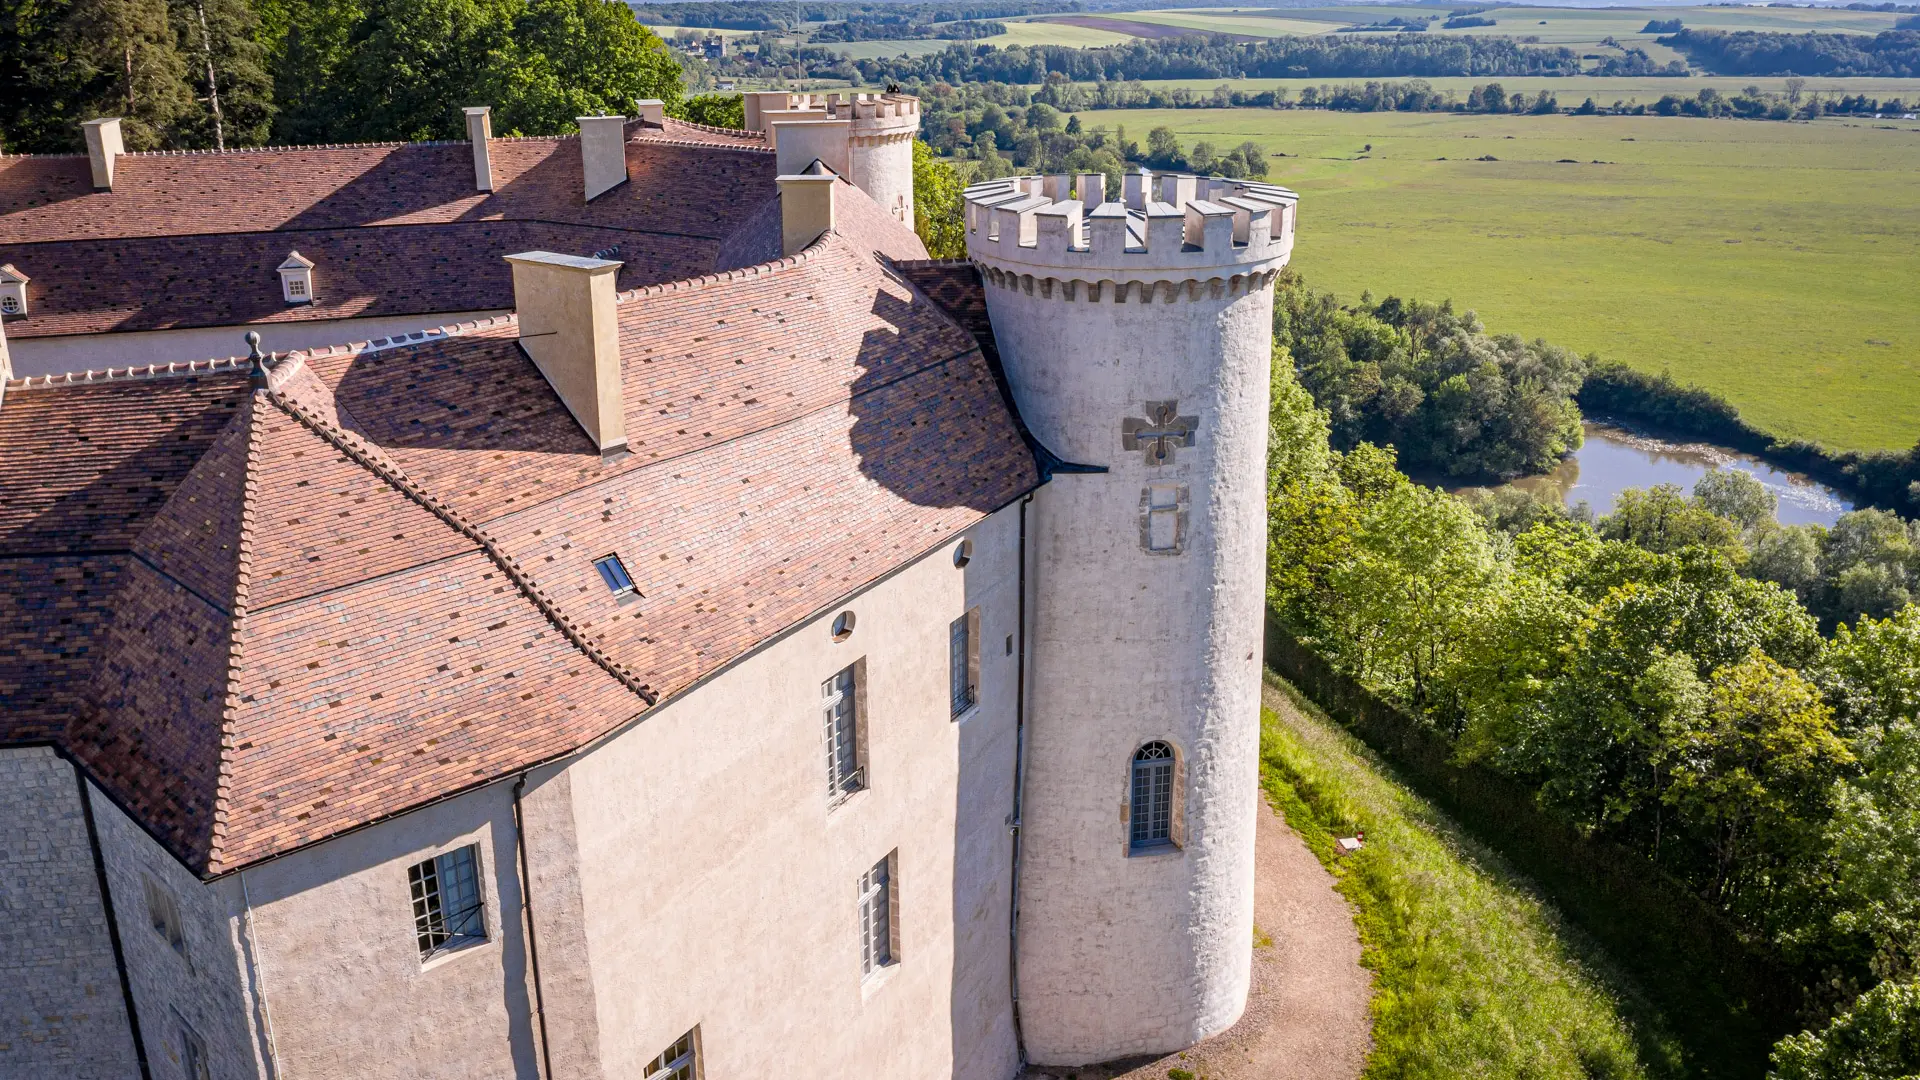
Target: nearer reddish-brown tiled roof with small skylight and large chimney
[{"x": 262, "y": 618}]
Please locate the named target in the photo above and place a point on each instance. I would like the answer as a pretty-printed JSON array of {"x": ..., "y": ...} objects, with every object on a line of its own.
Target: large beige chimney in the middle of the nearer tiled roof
[{"x": 571, "y": 333}]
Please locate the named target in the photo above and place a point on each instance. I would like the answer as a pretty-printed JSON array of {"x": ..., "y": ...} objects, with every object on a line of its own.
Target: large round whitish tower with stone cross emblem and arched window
[{"x": 1138, "y": 337}]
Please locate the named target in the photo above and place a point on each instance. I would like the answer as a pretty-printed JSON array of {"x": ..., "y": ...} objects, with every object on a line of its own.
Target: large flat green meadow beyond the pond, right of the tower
[{"x": 1769, "y": 262}]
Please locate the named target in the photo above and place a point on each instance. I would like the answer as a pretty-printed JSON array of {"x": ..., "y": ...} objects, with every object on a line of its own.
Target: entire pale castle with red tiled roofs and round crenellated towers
[{"x": 629, "y": 612}]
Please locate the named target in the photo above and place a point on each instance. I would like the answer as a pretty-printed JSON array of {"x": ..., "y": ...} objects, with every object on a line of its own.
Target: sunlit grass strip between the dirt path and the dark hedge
[{"x": 1474, "y": 973}]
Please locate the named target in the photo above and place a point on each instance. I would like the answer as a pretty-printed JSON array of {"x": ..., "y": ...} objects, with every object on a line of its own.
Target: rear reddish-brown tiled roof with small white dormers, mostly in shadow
[{"x": 396, "y": 230}]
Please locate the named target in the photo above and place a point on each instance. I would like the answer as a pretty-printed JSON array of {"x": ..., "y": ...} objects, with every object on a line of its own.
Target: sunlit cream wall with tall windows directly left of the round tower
[{"x": 721, "y": 891}]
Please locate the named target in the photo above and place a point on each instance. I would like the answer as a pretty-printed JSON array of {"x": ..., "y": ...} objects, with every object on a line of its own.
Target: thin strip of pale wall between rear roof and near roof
[{"x": 137, "y": 349}]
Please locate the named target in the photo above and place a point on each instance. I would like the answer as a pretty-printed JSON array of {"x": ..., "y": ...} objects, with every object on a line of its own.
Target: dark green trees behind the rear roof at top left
[{"x": 201, "y": 74}]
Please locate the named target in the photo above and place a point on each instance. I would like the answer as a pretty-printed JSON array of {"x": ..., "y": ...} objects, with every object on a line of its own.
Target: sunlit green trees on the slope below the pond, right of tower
[{"x": 1685, "y": 677}]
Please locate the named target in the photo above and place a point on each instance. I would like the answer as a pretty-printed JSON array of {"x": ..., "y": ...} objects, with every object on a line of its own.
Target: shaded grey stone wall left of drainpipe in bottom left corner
[{"x": 62, "y": 1012}]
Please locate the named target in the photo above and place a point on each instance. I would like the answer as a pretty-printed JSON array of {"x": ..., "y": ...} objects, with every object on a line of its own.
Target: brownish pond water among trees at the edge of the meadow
[{"x": 1616, "y": 460}]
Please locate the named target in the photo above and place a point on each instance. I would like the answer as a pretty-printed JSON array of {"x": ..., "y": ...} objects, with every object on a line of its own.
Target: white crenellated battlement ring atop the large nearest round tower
[{"x": 1182, "y": 226}]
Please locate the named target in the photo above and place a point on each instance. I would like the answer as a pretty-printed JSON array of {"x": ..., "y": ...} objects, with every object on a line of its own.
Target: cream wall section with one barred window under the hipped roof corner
[{"x": 348, "y": 993}]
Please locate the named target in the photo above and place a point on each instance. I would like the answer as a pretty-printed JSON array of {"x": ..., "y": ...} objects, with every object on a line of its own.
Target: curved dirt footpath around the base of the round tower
[{"x": 1307, "y": 1018}]
